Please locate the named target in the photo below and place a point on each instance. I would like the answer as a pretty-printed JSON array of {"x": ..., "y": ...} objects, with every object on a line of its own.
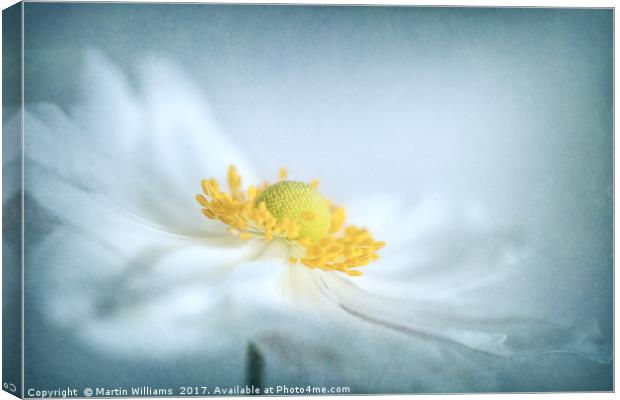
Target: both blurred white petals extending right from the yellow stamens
[{"x": 440, "y": 276}]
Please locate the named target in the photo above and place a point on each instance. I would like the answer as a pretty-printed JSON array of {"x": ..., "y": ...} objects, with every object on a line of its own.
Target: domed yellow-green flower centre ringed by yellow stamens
[{"x": 302, "y": 204}]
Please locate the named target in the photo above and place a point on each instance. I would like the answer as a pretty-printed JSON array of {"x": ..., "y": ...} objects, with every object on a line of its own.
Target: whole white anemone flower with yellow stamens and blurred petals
[{"x": 126, "y": 264}]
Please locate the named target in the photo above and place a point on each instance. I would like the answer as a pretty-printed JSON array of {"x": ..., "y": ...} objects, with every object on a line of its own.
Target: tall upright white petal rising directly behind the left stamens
[{"x": 182, "y": 143}]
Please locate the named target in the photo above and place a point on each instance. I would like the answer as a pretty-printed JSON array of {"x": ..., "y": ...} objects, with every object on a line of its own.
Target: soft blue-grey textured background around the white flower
[{"x": 510, "y": 108}]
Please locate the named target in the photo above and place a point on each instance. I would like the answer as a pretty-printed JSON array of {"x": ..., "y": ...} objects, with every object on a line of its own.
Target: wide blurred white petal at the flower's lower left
[{"x": 159, "y": 299}]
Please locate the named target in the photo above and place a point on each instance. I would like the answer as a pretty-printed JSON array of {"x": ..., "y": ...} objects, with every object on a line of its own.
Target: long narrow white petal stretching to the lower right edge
[{"x": 500, "y": 333}]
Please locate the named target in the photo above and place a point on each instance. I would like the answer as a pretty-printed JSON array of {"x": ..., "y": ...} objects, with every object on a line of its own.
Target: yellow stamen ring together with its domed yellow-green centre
[{"x": 291, "y": 211}]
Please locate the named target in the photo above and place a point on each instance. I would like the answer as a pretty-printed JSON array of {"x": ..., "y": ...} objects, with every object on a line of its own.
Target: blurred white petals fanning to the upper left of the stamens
[{"x": 146, "y": 152}]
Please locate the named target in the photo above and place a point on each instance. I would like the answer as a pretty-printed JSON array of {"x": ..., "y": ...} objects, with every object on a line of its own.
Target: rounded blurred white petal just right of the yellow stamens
[{"x": 435, "y": 250}]
